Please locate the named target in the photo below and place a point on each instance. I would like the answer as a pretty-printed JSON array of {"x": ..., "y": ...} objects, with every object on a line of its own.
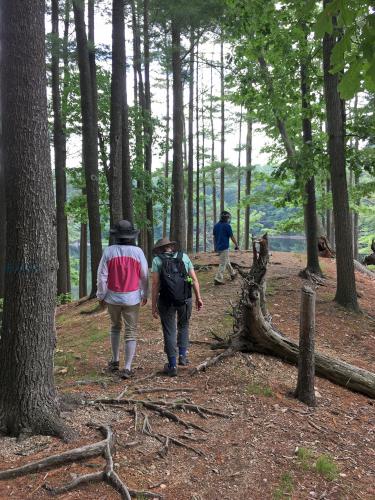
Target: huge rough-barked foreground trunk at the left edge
[{"x": 27, "y": 394}]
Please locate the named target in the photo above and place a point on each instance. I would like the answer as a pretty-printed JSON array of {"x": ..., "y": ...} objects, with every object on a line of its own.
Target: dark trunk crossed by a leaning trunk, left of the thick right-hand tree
[{"x": 310, "y": 214}]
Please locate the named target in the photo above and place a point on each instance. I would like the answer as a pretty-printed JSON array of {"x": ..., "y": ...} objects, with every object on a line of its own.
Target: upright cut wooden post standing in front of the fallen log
[{"x": 306, "y": 359}]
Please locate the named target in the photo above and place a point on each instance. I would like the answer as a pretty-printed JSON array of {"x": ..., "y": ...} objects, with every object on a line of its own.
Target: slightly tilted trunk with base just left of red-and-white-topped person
[{"x": 89, "y": 142}]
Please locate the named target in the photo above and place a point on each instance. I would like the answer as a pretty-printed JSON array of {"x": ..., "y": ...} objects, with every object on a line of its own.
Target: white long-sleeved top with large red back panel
[{"x": 122, "y": 275}]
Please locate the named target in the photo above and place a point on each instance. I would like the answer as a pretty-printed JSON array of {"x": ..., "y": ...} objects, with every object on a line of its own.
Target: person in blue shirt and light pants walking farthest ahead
[{"x": 222, "y": 233}]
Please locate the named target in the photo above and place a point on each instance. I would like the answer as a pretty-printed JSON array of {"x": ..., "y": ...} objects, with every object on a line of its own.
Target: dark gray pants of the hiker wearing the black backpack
[{"x": 175, "y": 337}]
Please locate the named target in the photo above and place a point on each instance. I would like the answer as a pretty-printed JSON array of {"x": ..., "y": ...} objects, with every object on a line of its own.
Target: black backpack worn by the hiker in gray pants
[{"x": 175, "y": 287}]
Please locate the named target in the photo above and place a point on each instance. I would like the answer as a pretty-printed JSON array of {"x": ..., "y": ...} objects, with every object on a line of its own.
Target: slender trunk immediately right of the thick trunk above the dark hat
[{"x": 127, "y": 186}]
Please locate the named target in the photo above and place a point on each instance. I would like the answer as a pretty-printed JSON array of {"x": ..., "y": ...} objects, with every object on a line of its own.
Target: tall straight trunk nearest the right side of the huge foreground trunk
[{"x": 59, "y": 141}]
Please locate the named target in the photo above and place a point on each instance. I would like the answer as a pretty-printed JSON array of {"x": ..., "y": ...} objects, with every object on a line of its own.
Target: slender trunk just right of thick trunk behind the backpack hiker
[{"x": 190, "y": 186}]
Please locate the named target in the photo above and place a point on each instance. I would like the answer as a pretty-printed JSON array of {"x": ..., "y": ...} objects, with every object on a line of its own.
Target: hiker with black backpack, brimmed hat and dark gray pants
[{"x": 173, "y": 278}]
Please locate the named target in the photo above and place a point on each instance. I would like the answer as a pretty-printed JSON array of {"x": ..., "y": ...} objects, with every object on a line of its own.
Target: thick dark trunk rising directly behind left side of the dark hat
[{"x": 117, "y": 102}]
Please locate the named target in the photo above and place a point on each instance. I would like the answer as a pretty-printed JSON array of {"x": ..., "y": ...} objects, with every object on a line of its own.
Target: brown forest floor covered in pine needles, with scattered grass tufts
[{"x": 270, "y": 447}]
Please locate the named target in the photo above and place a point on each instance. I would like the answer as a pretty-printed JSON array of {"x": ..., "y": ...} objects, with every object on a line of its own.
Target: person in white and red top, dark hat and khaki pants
[{"x": 123, "y": 287}]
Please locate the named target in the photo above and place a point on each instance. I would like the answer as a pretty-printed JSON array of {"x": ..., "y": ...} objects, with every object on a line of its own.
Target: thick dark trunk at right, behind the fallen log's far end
[{"x": 346, "y": 294}]
